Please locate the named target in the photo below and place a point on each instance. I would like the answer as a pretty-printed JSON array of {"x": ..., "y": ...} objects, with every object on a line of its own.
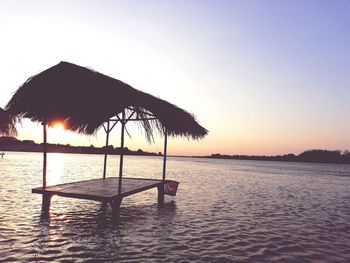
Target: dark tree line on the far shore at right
[{"x": 311, "y": 156}]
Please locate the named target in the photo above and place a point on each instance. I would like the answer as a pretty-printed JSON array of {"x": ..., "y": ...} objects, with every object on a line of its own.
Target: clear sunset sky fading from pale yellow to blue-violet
[{"x": 264, "y": 77}]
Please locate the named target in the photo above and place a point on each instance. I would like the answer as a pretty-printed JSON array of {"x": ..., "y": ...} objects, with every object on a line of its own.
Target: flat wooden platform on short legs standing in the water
[{"x": 104, "y": 190}]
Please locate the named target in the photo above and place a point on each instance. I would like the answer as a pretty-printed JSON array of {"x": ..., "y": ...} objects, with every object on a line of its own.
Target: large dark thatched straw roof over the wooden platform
[{"x": 84, "y": 99}]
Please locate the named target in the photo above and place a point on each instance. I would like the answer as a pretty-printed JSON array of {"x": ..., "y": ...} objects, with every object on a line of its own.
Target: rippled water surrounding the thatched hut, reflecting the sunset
[{"x": 224, "y": 211}]
